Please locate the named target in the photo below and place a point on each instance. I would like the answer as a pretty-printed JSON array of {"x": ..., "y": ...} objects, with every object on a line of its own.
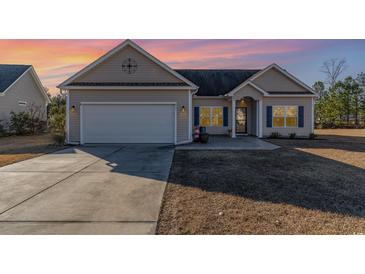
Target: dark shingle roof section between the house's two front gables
[{"x": 214, "y": 82}]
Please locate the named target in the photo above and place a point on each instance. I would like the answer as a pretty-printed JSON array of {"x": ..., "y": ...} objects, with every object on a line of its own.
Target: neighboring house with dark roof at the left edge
[{"x": 20, "y": 89}]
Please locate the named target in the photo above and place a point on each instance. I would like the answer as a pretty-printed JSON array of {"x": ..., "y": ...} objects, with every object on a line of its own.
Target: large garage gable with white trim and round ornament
[{"x": 111, "y": 69}]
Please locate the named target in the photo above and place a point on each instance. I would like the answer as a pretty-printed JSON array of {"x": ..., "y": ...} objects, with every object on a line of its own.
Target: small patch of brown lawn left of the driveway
[{"x": 18, "y": 148}]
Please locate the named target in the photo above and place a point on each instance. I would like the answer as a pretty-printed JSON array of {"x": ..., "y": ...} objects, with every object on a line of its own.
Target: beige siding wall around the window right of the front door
[{"x": 294, "y": 101}]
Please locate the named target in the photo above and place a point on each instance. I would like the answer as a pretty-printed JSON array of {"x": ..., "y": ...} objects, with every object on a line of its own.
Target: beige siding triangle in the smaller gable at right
[{"x": 275, "y": 81}]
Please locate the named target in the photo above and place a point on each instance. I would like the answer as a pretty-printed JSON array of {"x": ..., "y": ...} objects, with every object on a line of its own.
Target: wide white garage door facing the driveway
[{"x": 128, "y": 123}]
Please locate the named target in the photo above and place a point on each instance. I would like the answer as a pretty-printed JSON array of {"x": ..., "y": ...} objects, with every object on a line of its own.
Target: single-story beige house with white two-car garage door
[{"x": 128, "y": 96}]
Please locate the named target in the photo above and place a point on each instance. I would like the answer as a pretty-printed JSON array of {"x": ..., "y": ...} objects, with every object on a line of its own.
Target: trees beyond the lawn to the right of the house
[{"x": 340, "y": 103}]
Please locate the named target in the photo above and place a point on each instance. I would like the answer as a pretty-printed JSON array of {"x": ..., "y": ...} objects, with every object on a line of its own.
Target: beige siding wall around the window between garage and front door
[{"x": 199, "y": 102}]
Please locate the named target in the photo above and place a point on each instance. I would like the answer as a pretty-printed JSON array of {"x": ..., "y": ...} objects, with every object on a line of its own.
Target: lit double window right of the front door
[{"x": 285, "y": 116}]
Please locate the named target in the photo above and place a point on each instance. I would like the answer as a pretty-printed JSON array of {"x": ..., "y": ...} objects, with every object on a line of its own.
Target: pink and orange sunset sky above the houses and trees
[{"x": 56, "y": 60}]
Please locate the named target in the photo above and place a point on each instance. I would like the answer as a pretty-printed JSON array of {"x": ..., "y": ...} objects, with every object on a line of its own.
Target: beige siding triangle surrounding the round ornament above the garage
[{"x": 110, "y": 70}]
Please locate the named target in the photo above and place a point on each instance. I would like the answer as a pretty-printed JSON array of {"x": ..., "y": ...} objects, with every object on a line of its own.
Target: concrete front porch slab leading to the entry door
[{"x": 219, "y": 142}]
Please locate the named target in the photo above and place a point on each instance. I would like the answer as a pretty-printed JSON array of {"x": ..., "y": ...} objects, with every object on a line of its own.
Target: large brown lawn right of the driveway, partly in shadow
[{"x": 305, "y": 187}]
